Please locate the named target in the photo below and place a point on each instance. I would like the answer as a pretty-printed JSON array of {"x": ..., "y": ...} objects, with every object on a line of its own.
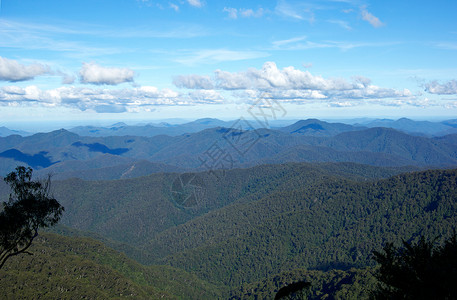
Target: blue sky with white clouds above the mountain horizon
[{"x": 144, "y": 60}]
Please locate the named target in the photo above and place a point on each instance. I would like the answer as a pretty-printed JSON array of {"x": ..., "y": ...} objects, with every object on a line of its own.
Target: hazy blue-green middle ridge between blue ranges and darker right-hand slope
[{"x": 136, "y": 210}]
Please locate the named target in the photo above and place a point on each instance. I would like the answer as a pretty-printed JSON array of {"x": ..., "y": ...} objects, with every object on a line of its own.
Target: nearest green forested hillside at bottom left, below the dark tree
[{"x": 71, "y": 268}]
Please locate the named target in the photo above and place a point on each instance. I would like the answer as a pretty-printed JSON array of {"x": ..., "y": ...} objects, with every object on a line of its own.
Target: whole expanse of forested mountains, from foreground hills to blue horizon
[{"x": 230, "y": 211}]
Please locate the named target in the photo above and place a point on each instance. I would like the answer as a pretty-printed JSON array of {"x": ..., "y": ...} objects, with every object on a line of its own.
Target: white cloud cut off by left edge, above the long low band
[{"x": 11, "y": 70}]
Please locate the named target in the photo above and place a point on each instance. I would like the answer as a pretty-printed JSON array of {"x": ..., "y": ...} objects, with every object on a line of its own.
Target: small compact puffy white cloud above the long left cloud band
[{"x": 96, "y": 74}]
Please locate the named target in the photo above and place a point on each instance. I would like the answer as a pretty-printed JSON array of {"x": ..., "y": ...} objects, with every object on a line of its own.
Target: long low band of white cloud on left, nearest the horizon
[{"x": 104, "y": 100}]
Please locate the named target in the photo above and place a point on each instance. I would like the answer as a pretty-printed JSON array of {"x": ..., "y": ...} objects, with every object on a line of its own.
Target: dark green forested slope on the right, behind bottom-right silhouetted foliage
[{"x": 332, "y": 224}]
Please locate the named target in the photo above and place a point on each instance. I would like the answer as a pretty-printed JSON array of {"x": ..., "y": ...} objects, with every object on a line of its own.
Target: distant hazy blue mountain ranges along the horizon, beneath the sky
[{"x": 124, "y": 151}]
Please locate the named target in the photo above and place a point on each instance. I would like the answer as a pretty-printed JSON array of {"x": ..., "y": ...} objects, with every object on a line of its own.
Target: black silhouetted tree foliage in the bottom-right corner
[{"x": 418, "y": 271}]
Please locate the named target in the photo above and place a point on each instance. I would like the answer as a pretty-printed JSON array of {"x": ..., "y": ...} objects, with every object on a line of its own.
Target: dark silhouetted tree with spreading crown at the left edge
[{"x": 29, "y": 208}]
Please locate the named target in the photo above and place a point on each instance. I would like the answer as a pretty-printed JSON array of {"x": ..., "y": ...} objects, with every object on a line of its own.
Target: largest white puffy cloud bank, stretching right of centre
[{"x": 289, "y": 84}]
